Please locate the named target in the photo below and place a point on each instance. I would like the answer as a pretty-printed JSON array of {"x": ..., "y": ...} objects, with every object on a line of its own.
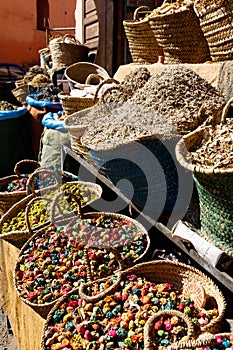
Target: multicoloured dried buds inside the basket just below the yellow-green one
[{"x": 53, "y": 263}]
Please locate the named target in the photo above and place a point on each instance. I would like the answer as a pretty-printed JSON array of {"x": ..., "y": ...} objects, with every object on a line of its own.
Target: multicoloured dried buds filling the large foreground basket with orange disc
[{"x": 117, "y": 320}]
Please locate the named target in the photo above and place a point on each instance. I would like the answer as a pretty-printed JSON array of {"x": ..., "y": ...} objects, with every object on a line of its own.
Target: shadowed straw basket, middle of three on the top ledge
[{"x": 180, "y": 36}]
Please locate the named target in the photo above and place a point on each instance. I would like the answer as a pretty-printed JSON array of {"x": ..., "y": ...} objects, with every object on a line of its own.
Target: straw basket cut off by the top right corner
[{"x": 216, "y": 20}]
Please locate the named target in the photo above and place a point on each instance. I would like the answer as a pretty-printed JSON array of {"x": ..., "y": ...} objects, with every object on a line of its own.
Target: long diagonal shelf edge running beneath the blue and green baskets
[{"x": 89, "y": 172}]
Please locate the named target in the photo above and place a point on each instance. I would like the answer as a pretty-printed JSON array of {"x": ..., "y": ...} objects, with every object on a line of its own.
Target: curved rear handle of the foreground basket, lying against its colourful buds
[{"x": 95, "y": 298}]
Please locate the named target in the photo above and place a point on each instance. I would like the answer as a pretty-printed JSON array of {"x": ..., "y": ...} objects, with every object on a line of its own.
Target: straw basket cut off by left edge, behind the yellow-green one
[{"x": 13, "y": 187}]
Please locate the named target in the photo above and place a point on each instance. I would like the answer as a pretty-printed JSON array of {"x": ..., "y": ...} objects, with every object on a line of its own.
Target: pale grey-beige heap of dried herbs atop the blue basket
[{"x": 118, "y": 125}]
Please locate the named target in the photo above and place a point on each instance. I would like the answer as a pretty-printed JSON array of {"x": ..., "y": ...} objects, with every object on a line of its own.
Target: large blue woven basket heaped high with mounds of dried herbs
[{"x": 127, "y": 145}]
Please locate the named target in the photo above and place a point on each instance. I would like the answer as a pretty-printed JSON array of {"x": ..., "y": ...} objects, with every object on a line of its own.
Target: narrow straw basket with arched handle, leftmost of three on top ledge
[{"x": 142, "y": 42}]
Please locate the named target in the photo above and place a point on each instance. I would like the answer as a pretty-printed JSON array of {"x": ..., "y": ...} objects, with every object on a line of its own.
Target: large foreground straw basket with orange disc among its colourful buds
[{"x": 177, "y": 275}]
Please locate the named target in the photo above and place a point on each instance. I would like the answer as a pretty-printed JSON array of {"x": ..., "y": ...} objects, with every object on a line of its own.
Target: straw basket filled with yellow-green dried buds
[{"x": 22, "y": 219}]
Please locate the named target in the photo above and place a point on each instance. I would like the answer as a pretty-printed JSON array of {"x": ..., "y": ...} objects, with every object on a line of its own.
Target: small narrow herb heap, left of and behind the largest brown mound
[{"x": 127, "y": 88}]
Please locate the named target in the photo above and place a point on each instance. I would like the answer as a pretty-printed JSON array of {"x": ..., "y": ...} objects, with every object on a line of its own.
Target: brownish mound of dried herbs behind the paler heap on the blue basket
[{"x": 177, "y": 93}]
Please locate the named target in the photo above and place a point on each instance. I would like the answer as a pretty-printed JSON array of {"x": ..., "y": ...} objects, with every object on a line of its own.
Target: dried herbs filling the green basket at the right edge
[{"x": 216, "y": 149}]
